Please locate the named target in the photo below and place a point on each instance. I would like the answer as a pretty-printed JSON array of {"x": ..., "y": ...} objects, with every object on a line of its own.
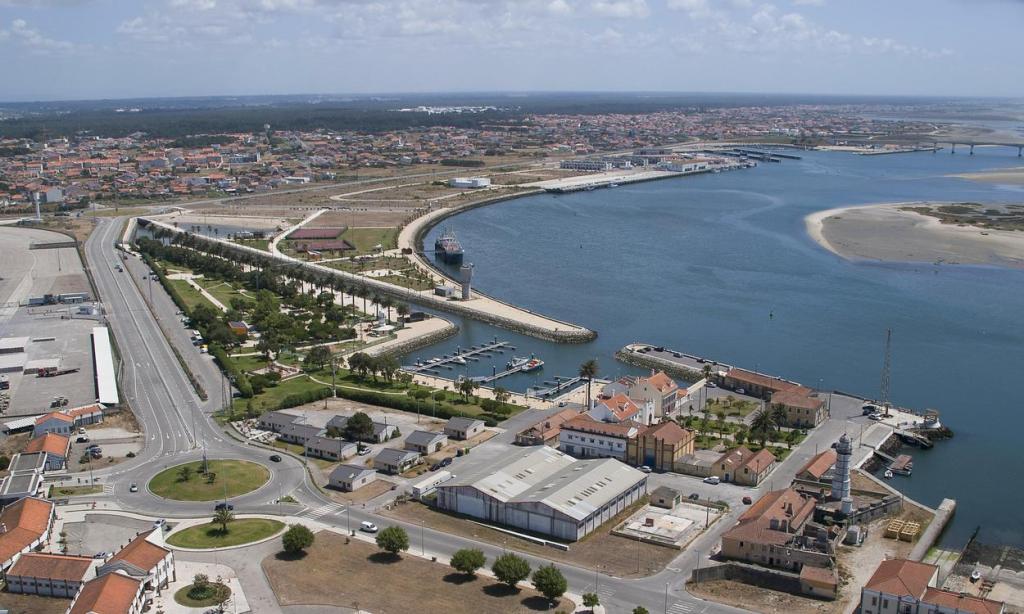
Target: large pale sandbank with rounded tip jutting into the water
[{"x": 886, "y": 234}]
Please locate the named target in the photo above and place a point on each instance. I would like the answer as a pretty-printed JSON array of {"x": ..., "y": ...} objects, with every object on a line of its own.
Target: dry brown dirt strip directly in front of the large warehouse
[{"x": 617, "y": 555}]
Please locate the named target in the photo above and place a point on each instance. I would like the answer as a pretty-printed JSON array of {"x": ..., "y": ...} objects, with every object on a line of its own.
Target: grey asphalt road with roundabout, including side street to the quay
[{"x": 179, "y": 428}]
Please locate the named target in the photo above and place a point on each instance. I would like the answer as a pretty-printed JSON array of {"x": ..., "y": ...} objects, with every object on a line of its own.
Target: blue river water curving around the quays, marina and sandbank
[{"x": 699, "y": 264}]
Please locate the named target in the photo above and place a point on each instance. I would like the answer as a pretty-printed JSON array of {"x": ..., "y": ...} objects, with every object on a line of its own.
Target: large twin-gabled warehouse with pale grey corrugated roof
[{"x": 547, "y": 493}]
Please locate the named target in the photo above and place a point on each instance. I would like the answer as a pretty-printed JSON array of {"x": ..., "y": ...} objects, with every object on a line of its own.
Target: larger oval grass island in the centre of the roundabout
[{"x": 239, "y": 476}]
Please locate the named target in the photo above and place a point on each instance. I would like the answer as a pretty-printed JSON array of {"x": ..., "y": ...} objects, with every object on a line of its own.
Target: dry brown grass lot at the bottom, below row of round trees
[{"x": 411, "y": 583}]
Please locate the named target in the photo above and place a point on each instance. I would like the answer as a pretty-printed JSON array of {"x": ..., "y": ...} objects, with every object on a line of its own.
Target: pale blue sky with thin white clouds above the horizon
[{"x": 81, "y": 50}]
